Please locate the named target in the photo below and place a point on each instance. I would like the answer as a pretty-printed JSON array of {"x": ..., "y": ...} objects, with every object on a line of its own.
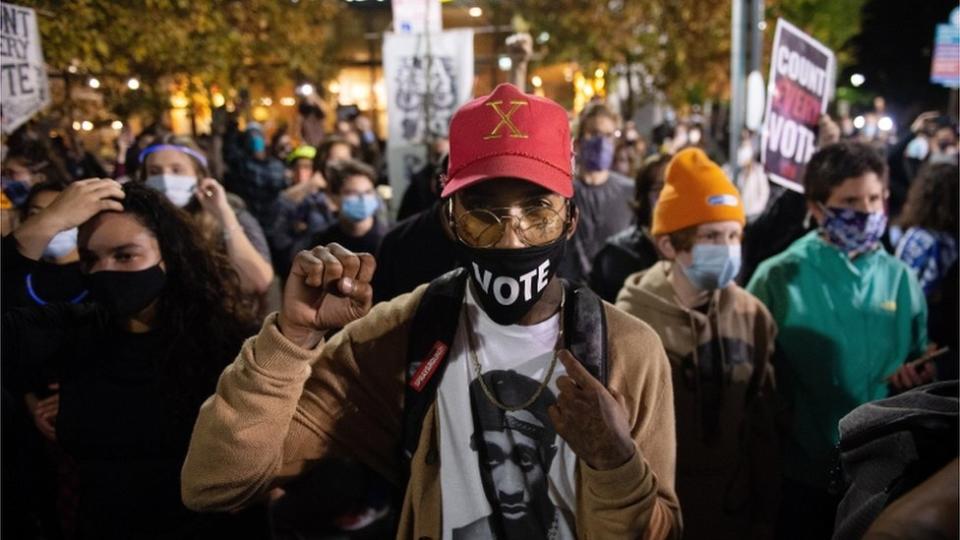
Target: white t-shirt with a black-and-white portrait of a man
[{"x": 503, "y": 474}]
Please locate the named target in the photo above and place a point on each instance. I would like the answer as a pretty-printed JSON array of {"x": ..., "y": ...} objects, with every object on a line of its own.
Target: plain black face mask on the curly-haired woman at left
[{"x": 125, "y": 294}]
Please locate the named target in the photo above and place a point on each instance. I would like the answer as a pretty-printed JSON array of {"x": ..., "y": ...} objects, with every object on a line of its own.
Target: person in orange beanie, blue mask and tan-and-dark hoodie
[{"x": 720, "y": 341}]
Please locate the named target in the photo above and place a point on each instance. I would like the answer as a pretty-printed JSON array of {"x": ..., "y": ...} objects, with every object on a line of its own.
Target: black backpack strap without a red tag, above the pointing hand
[{"x": 585, "y": 326}]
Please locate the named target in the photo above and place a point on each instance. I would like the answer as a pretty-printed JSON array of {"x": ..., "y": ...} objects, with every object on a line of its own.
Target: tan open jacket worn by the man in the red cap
[{"x": 280, "y": 408}]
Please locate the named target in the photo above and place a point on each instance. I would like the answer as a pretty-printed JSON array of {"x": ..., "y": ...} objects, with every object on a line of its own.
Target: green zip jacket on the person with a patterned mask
[{"x": 845, "y": 325}]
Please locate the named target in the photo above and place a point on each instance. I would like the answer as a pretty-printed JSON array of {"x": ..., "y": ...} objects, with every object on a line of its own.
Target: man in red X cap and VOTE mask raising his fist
[{"x": 500, "y": 400}]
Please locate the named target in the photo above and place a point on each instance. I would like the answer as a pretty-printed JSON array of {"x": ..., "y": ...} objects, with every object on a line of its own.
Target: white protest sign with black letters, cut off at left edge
[{"x": 23, "y": 79}]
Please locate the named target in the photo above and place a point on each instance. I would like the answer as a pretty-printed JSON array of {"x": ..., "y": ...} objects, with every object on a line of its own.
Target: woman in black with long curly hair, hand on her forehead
[{"x": 135, "y": 364}]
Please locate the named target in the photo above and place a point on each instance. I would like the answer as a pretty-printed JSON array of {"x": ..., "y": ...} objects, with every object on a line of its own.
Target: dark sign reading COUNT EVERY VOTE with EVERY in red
[{"x": 799, "y": 88}]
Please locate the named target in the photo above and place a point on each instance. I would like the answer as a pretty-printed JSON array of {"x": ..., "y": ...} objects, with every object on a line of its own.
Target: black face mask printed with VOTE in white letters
[{"x": 508, "y": 282}]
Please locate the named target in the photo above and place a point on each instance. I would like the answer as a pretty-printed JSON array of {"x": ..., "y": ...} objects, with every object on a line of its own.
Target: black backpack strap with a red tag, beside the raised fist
[{"x": 430, "y": 338}]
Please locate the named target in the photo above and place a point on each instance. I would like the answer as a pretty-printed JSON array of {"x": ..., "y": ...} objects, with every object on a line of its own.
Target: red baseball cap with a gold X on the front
[{"x": 510, "y": 134}]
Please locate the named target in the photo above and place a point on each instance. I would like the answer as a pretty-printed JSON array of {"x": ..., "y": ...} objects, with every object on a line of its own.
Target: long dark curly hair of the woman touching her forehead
[{"x": 200, "y": 311}]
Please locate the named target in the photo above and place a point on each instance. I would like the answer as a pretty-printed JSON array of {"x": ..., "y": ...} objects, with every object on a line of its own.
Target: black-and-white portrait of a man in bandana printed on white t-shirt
[{"x": 515, "y": 451}]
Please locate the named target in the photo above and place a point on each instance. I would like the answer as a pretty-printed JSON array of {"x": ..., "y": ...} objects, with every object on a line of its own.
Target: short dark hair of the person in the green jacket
[{"x": 833, "y": 164}]
